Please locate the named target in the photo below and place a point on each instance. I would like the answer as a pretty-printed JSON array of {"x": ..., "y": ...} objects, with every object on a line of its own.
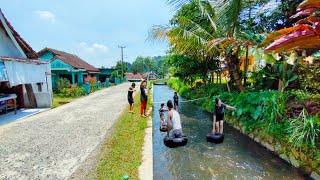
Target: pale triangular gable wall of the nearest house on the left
[{"x": 7, "y": 48}]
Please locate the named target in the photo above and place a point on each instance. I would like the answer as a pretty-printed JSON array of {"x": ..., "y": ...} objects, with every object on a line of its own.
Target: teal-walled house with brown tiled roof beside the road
[{"x": 66, "y": 65}]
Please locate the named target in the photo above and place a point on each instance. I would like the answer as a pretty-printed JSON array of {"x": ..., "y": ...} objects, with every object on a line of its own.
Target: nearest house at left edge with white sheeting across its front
[{"x": 22, "y": 74}]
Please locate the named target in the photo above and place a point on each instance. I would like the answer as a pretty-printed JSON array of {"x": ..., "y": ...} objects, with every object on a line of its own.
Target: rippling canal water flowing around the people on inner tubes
[{"x": 238, "y": 157}]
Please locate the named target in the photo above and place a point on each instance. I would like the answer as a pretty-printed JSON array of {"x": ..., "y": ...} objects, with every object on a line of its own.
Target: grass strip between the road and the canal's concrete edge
[{"x": 121, "y": 153}]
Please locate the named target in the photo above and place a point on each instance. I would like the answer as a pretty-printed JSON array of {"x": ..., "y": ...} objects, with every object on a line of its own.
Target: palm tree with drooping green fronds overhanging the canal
[{"x": 190, "y": 37}]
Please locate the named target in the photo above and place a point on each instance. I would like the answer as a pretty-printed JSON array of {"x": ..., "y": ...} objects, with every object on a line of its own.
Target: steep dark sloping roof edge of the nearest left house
[{"x": 30, "y": 53}]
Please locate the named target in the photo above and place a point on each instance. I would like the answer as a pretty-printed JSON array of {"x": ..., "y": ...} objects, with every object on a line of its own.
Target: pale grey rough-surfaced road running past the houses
[{"x": 53, "y": 144}]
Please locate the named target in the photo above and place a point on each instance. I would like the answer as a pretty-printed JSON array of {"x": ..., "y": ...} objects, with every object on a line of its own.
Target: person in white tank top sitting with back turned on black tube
[{"x": 174, "y": 118}]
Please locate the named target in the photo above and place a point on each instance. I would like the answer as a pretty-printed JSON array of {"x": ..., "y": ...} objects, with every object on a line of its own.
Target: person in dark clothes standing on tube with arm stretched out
[{"x": 218, "y": 116}]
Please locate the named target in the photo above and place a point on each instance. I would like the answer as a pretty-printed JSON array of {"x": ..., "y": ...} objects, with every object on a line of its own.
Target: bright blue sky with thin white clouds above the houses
[{"x": 91, "y": 29}]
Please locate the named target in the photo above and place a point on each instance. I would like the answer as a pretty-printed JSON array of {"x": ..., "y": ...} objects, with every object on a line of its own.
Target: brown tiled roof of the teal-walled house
[{"x": 70, "y": 59}]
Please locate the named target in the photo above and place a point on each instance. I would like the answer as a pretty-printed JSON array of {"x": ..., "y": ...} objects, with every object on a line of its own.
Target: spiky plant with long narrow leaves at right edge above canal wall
[{"x": 304, "y": 130}]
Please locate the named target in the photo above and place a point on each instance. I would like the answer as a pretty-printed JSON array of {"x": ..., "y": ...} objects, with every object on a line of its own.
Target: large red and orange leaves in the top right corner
[{"x": 305, "y": 35}]
